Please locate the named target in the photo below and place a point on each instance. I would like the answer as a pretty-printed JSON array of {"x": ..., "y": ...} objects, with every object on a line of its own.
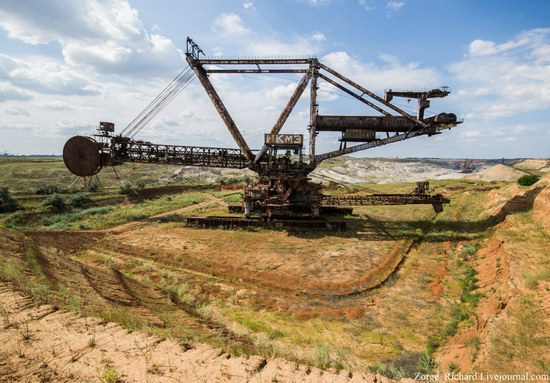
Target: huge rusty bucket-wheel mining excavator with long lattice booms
[{"x": 282, "y": 195}]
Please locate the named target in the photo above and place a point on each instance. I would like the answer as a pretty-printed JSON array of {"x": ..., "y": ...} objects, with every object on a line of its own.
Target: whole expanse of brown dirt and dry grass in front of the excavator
[{"x": 195, "y": 304}]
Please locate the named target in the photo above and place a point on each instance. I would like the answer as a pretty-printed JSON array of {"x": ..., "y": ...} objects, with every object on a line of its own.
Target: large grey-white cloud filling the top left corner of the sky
[{"x": 104, "y": 35}]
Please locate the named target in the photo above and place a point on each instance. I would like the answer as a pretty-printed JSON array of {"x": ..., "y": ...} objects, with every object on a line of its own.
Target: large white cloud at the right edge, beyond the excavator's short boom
[{"x": 502, "y": 80}]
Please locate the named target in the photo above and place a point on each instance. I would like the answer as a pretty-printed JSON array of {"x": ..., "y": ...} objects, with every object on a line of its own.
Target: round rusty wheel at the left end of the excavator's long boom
[{"x": 82, "y": 156}]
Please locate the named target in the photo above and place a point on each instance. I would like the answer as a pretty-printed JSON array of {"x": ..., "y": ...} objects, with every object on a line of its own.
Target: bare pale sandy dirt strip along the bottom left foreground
[{"x": 41, "y": 343}]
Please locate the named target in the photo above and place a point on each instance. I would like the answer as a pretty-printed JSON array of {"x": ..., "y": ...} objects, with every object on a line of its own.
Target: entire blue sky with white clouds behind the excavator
[{"x": 65, "y": 65}]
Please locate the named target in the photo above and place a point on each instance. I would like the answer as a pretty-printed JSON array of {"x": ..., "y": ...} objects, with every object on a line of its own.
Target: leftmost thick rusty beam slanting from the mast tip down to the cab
[{"x": 220, "y": 107}]
